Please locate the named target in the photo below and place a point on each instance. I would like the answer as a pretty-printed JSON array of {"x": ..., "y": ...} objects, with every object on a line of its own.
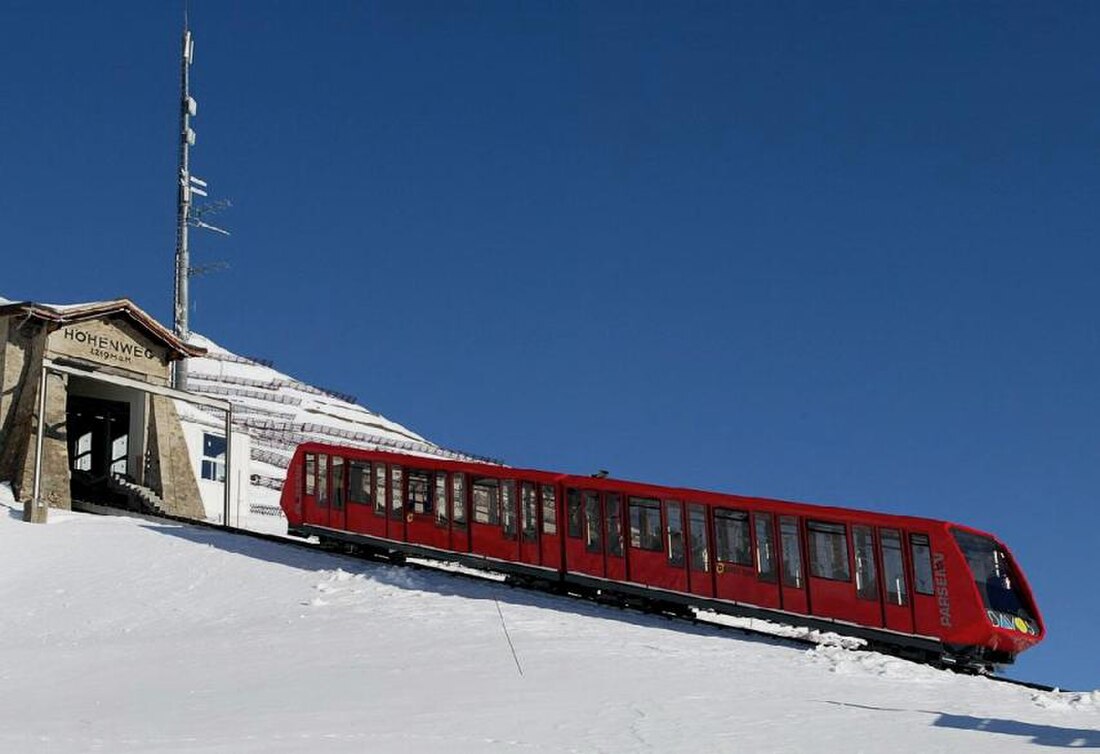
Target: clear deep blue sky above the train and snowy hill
[{"x": 835, "y": 253}]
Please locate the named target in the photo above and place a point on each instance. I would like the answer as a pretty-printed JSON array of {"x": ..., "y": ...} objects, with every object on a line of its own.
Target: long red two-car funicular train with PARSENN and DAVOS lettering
[{"x": 929, "y": 589}]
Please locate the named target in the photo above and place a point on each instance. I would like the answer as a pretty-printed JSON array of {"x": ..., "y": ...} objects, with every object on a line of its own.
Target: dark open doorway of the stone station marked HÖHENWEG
[{"x": 98, "y": 445}]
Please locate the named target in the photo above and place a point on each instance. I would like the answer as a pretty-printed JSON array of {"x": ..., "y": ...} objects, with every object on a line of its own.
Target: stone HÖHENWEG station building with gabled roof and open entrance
[{"x": 98, "y": 376}]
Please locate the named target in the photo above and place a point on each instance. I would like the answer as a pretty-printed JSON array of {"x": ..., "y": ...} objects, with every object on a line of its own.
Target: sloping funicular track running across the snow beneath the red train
[{"x": 775, "y": 632}]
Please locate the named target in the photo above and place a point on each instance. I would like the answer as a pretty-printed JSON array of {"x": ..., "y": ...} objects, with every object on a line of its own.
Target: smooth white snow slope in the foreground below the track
[{"x": 130, "y": 636}]
